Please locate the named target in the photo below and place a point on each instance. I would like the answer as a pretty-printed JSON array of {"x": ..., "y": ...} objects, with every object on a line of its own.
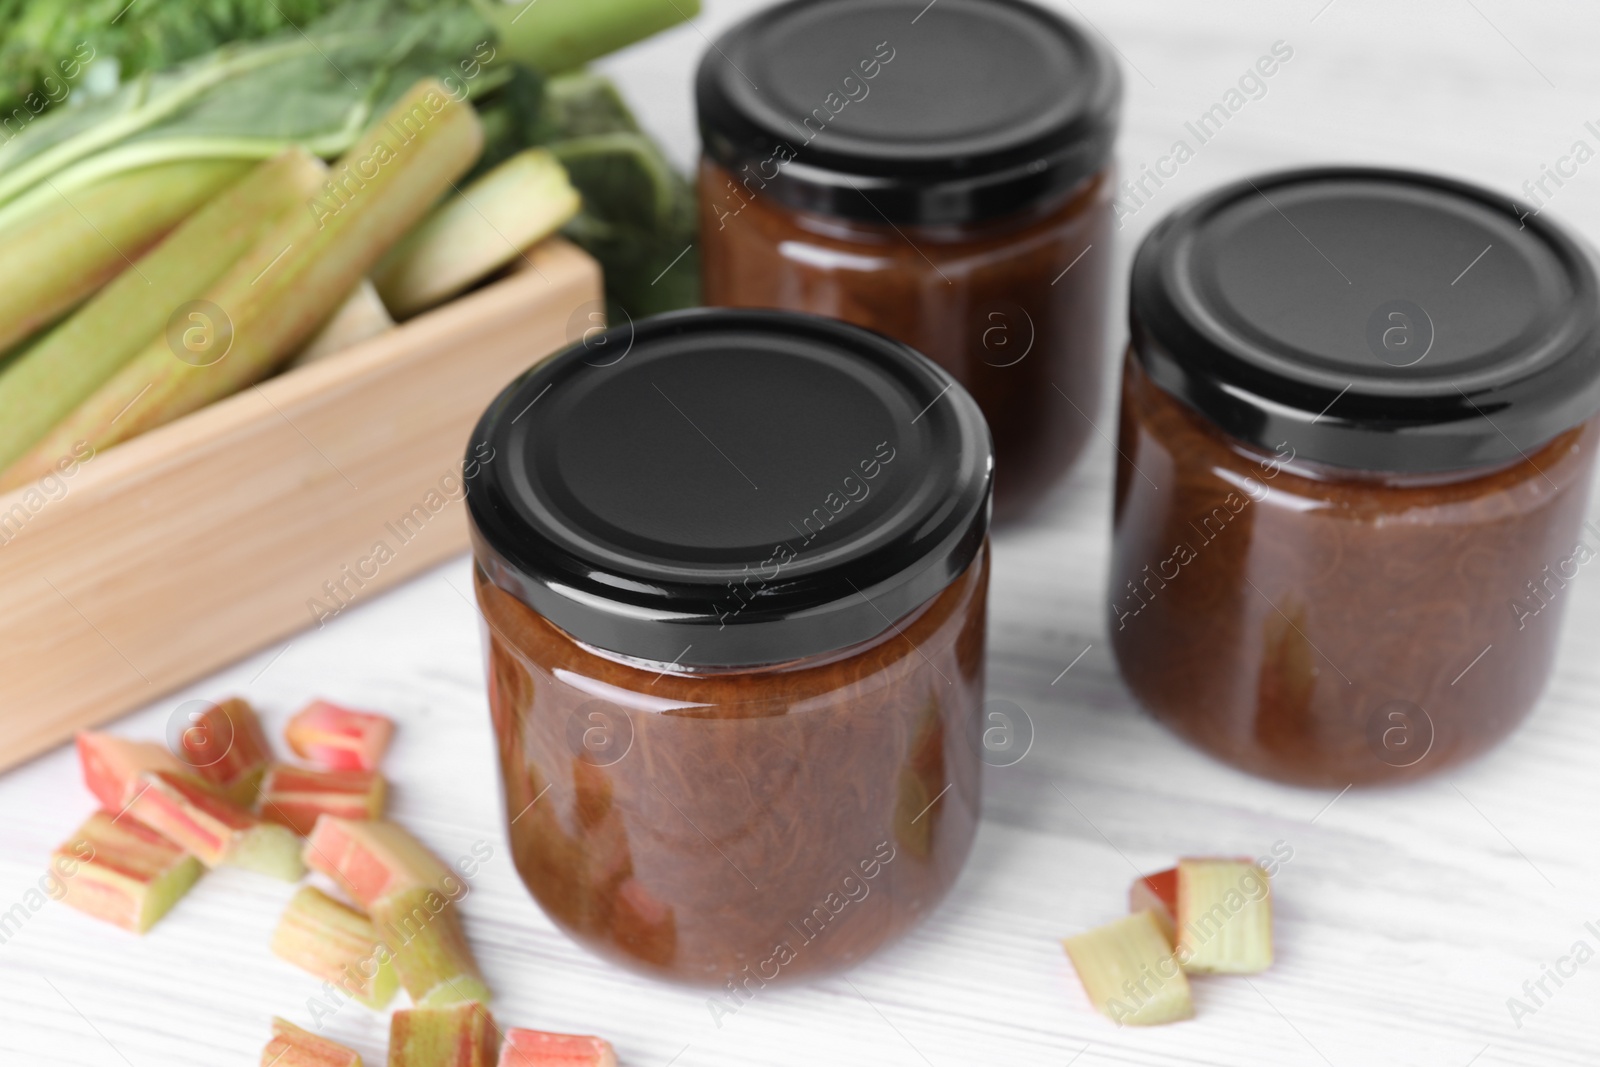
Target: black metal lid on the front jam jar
[{"x": 730, "y": 487}]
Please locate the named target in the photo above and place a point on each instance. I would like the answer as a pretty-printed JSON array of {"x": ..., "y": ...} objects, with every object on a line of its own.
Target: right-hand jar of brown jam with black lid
[{"x": 1358, "y": 436}]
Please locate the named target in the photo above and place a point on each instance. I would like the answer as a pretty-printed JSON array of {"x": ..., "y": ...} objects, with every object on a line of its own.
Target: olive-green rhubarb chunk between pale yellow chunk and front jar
[{"x": 430, "y": 948}]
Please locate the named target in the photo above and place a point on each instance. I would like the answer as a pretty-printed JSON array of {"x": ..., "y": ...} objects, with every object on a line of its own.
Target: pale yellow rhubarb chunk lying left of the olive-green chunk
[{"x": 337, "y": 945}]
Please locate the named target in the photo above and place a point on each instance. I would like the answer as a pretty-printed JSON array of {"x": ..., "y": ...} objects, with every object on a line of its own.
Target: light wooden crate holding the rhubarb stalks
[{"x": 164, "y": 559}]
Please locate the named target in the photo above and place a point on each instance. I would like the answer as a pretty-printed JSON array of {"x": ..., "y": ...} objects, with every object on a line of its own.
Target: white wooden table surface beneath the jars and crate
[{"x": 1406, "y": 919}]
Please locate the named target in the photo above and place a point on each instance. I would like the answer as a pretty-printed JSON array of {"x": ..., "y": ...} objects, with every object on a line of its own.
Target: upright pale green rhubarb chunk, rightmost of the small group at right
[{"x": 1225, "y": 917}]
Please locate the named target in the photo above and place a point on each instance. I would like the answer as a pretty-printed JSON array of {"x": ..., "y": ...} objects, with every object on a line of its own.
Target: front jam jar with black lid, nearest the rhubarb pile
[{"x": 734, "y": 573}]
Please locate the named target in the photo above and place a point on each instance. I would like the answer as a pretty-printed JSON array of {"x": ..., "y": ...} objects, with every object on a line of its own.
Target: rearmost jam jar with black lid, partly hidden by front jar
[{"x": 940, "y": 174}]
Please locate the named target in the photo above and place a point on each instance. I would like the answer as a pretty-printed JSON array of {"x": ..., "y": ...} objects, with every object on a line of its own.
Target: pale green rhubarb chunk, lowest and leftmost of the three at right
[{"x": 1130, "y": 975}]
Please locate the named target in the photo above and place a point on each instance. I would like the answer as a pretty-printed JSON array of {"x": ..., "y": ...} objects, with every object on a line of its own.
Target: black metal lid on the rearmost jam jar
[{"x": 910, "y": 111}]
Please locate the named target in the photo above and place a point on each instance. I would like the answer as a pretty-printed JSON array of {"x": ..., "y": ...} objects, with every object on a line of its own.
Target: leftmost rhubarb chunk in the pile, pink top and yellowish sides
[{"x": 122, "y": 873}]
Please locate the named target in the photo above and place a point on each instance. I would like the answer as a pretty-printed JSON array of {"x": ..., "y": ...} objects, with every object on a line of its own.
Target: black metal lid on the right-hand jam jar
[{"x": 1372, "y": 319}]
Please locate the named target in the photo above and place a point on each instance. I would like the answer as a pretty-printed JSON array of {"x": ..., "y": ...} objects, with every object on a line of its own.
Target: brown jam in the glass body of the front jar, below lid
[{"x": 761, "y": 823}]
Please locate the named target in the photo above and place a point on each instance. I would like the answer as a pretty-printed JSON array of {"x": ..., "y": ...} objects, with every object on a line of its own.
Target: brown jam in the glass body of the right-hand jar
[{"x": 1396, "y": 588}]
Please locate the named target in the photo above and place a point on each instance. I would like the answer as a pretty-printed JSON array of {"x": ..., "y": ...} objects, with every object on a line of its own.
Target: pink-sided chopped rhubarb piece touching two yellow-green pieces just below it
[{"x": 372, "y": 860}]
